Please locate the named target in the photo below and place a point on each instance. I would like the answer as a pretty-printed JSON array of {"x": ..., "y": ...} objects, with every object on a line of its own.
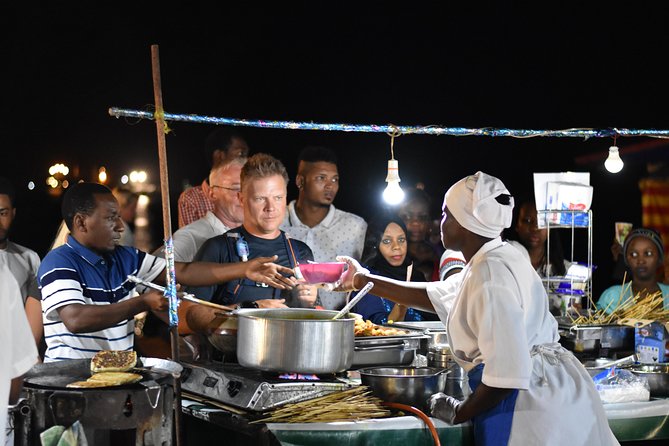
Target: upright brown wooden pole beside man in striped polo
[{"x": 167, "y": 219}]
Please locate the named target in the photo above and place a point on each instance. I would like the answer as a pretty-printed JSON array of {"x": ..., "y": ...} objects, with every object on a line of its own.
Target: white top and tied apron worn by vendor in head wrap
[{"x": 500, "y": 319}]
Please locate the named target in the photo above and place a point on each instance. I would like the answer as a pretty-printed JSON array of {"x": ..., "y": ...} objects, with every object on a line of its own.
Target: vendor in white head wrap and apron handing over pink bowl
[{"x": 527, "y": 389}]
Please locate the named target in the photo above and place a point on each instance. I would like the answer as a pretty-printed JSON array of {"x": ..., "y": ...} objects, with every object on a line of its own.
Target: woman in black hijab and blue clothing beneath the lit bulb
[{"x": 385, "y": 254}]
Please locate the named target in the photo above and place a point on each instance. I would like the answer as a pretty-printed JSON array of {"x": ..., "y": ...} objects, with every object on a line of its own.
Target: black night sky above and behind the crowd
[{"x": 554, "y": 65}]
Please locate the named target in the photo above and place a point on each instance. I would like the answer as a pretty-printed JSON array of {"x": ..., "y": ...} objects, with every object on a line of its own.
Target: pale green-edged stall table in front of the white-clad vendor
[{"x": 629, "y": 422}]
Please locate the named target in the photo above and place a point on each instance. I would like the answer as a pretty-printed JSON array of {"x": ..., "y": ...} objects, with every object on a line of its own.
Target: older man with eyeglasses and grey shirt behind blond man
[{"x": 228, "y": 213}]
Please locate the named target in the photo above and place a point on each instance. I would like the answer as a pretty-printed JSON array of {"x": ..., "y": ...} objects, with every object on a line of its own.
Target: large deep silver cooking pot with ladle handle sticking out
[{"x": 298, "y": 340}]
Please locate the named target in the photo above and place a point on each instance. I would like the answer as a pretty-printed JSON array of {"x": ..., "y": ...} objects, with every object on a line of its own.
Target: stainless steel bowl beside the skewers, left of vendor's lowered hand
[{"x": 406, "y": 385}]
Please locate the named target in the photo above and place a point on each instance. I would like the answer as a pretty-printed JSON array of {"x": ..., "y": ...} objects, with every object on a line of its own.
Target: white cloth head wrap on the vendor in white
[{"x": 472, "y": 202}]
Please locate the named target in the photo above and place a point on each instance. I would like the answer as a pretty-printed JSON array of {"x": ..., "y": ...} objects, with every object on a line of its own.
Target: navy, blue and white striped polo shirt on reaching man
[{"x": 73, "y": 274}]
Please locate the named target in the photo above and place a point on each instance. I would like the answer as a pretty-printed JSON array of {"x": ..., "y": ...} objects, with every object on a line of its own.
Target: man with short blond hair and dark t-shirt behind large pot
[{"x": 264, "y": 186}]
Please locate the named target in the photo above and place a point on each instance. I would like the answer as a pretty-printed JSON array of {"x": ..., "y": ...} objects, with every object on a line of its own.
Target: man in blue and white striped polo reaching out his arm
[{"x": 87, "y": 299}]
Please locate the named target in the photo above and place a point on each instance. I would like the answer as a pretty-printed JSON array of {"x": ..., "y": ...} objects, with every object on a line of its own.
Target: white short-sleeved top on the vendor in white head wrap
[{"x": 500, "y": 313}]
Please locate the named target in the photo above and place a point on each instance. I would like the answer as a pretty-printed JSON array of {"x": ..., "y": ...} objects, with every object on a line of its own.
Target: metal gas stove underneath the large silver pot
[{"x": 254, "y": 390}]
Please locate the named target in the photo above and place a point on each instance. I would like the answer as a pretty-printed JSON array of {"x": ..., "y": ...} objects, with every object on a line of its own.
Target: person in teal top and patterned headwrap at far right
[{"x": 643, "y": 253}]
